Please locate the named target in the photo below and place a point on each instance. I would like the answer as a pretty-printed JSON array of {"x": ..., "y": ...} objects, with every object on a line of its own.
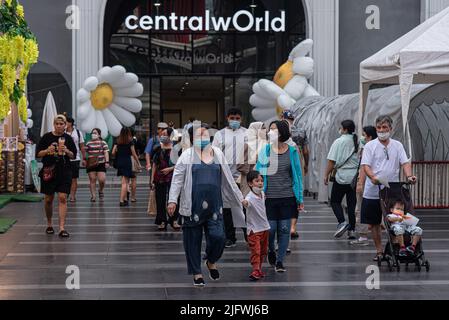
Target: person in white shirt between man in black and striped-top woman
[{"x": 78, "y": 139}]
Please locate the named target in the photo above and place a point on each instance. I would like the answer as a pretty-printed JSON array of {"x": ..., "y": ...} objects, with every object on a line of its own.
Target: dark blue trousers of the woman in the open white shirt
[{"x": 193, "y": 237}]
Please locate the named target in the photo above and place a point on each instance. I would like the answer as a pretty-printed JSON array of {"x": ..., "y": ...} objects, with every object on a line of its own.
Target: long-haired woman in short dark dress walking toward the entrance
[{"x": 123, "y": 151}]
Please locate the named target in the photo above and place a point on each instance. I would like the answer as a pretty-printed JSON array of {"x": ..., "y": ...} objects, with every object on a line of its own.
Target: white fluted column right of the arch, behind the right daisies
[{"x": 323, "y": 29}]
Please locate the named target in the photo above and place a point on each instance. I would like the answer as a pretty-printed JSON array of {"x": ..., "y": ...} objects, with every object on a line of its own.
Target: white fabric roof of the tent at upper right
[{"x": 424, "y": 49}]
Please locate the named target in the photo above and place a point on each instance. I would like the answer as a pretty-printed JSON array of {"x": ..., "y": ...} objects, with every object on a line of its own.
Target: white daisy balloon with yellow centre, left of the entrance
[{"x": 109, "y": 100}]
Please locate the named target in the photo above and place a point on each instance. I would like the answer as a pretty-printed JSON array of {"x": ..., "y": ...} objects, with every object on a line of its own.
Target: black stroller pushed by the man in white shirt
[{"x": 399, "y": 191}]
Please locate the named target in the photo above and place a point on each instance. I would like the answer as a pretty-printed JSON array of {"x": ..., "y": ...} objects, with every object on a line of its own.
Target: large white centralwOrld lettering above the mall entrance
[{"x": 241, "y": 21}]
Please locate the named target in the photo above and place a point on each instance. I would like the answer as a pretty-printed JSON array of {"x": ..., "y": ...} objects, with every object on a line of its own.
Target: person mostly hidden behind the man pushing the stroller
[{"x": 369, "y": 134}]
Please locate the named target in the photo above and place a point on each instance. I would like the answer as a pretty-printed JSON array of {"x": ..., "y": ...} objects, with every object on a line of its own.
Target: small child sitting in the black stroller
[{"x": 398, "y": 218}]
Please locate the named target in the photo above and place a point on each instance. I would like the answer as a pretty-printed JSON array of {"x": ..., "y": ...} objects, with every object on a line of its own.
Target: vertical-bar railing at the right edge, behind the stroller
[{"x": 432, "y": 189}]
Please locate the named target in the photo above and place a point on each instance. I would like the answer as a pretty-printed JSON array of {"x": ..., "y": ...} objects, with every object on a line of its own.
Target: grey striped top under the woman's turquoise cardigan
[{"x": 279, "y": 177}]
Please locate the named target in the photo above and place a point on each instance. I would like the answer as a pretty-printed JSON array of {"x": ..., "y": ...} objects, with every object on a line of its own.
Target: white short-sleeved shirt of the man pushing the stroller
[{"x": 385, "y": 162}]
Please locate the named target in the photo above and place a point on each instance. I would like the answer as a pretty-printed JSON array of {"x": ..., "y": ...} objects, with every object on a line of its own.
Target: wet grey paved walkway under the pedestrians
[{"x": 121, "y": 255}]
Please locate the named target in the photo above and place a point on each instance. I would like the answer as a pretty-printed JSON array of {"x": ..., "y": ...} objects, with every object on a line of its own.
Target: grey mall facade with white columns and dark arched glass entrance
[{"x": 201, "y": 57}]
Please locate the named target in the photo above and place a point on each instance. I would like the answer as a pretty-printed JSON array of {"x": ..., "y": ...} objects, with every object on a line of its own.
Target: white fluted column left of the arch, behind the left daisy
[{"x": 86, "y": 44}]
